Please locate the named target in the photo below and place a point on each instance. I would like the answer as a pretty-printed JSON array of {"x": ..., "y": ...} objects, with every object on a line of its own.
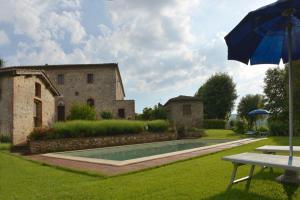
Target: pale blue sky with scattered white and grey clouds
[{"x": 164, "y": 48}]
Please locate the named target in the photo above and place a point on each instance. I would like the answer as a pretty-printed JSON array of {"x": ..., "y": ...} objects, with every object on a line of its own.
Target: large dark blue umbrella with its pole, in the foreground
[{"x": 267, "y": 35}]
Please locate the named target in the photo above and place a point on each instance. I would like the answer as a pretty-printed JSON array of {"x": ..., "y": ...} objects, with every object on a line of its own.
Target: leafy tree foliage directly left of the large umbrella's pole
[{"x": 276, "y": 93}]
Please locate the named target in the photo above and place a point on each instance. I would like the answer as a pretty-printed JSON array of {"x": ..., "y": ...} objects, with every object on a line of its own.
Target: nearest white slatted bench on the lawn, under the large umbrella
[{"x": 255, "y": 159}]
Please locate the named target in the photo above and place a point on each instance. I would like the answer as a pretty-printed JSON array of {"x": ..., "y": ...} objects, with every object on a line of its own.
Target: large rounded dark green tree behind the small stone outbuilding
[{"x": 219, "y": 95}]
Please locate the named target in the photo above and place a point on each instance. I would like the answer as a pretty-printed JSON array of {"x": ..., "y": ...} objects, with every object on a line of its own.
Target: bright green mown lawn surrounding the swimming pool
[{"x": 204, "y": 177}]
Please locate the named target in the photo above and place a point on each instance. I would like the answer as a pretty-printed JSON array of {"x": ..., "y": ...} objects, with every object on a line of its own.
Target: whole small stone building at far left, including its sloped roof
[{"x": 27, "y": 100}]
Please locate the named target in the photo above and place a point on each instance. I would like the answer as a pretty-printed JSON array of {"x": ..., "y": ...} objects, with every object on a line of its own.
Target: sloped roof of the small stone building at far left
[{"x": 13, "y": 71}]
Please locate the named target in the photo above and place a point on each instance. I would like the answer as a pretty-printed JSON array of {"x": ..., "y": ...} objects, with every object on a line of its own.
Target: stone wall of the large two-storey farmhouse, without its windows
[{"x": 106, "y": 89}]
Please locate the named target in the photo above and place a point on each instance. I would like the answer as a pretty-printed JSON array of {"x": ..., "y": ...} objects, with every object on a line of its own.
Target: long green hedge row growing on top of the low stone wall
[{"x": 81, "y": 128}]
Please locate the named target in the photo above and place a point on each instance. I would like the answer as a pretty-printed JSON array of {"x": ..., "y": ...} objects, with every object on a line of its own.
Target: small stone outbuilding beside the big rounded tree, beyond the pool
[{"x": 185, "y": 111}]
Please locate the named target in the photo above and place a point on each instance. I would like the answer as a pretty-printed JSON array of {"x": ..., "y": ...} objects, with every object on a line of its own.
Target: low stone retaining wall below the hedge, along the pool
[{"x": 46, "y": 146}]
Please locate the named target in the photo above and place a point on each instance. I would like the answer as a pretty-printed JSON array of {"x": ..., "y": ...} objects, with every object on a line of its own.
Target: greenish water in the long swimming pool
[{"x": 127, "y": 152}]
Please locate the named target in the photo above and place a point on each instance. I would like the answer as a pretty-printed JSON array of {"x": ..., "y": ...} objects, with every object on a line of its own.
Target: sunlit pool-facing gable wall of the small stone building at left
[{"x": 24, "y": 107}]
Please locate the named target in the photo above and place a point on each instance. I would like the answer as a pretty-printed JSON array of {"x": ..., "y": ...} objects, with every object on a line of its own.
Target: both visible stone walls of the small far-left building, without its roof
[{"x": 17, "y": 107}]
